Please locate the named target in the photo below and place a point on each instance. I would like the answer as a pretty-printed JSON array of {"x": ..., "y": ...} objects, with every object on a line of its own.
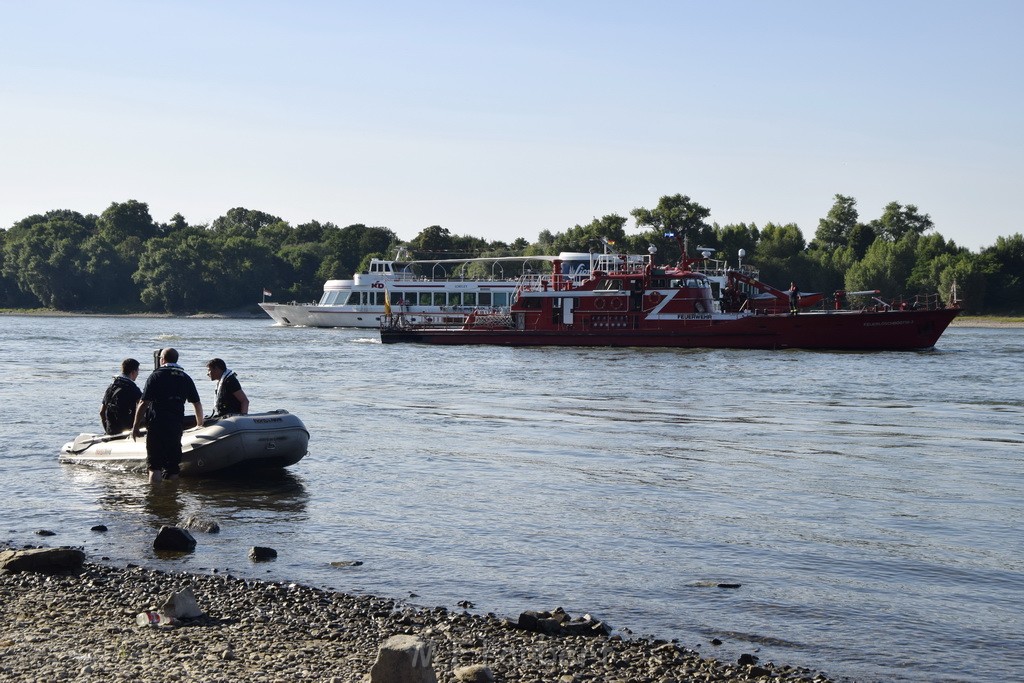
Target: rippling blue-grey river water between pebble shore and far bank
[{"x": 869, "y": 505}]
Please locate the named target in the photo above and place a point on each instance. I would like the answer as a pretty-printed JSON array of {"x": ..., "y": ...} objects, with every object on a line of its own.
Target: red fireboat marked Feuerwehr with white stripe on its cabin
[{"x": 626, "y": 301}]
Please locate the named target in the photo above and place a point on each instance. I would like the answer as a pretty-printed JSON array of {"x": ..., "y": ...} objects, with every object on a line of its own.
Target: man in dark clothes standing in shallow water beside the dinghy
[{"x": 163, "y": 402}]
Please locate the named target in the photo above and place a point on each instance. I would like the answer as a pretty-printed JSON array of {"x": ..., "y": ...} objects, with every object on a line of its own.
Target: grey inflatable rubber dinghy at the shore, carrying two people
[{"x": 236, "y": 443}]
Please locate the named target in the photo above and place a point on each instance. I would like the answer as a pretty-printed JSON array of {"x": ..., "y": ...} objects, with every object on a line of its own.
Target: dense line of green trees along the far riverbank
[{"x": 124, "y": 262}]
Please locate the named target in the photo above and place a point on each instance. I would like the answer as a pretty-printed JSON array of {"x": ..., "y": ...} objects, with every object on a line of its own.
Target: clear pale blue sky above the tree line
[{"x": 503, "y": 119}]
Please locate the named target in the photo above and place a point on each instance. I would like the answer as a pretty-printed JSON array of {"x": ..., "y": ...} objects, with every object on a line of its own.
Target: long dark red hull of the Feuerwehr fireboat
[{"x": 893, "y": 330}]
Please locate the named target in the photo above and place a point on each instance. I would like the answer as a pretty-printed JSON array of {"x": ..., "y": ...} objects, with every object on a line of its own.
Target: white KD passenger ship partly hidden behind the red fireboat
[{"x": 435, "y": 292}]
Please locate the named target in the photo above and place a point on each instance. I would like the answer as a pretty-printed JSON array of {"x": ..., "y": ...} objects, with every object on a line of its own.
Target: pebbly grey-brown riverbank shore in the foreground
[{"x": 81, "y": 625}]
